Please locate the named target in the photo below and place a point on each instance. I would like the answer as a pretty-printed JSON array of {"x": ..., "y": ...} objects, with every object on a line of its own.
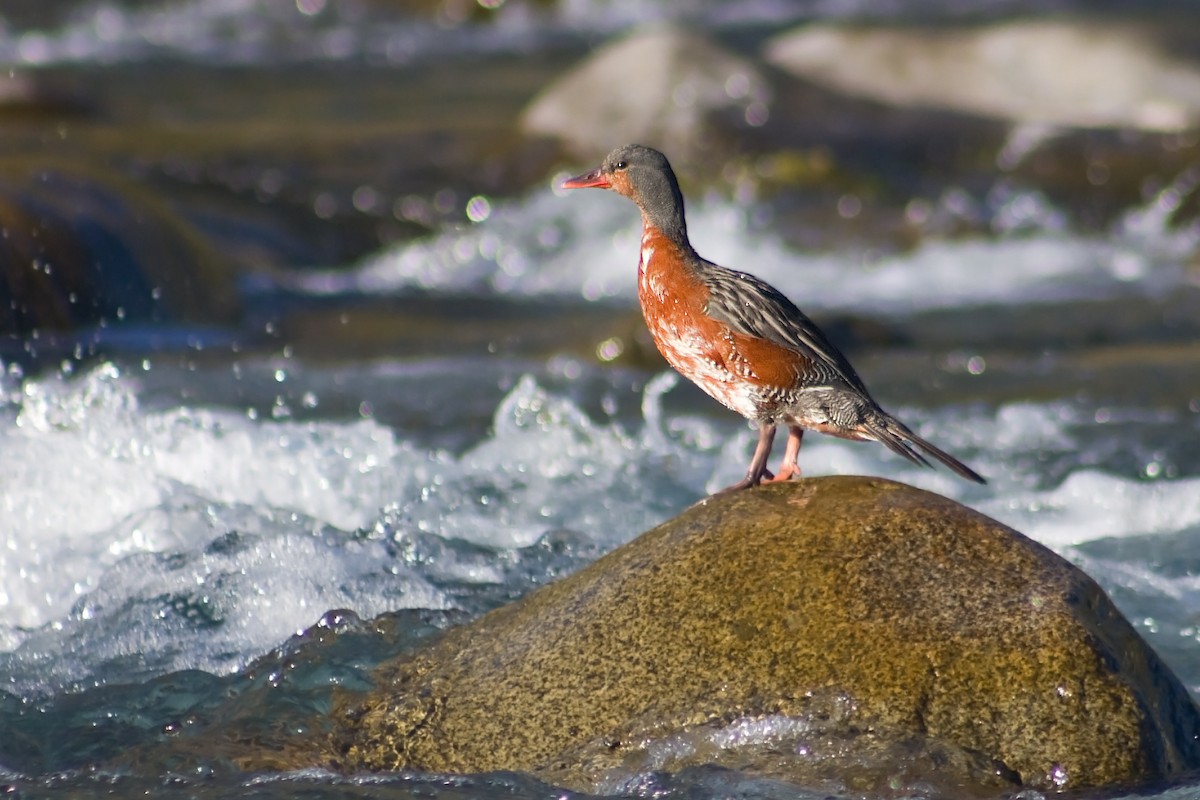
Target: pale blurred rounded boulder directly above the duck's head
[{"x": 663, "y": 87}]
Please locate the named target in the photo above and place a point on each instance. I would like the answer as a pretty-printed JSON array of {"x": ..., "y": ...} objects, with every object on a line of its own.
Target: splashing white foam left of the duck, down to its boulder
[{"x": 141, "y": 542}]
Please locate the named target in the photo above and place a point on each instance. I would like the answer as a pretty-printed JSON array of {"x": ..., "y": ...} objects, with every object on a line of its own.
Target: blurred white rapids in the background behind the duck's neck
[{"x": 584, "y": 245}]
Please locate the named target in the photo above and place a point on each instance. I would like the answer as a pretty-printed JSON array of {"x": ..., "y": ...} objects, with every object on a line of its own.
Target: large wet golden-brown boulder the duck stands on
[{"x": 833, "y": 631}]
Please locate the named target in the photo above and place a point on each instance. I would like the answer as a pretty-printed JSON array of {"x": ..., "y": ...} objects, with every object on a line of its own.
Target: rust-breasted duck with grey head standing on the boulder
[{"x": 741, "y": 340}]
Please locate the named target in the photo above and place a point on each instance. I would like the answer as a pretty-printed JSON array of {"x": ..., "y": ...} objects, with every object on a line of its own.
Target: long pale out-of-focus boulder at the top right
[{"x": 1043, "y": 73}]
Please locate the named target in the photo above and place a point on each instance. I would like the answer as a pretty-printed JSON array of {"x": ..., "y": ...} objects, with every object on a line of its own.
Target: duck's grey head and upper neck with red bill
[{"x": 644, "y": 176}]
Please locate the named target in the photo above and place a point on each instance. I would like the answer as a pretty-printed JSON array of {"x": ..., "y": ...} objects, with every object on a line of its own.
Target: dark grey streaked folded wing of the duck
[{"x": 757, "y": 309}]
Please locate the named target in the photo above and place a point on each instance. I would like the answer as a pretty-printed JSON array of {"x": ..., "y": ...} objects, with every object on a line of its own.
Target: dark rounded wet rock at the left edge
[{"x": 83, "y": 246}]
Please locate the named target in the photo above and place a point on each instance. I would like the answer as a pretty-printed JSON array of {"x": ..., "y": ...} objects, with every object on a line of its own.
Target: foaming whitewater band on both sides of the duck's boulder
[{"x": 147, "y": 538}]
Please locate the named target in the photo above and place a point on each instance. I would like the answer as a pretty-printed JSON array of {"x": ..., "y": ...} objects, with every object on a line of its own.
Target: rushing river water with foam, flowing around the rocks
[{"x": 447, "y": 401}]
